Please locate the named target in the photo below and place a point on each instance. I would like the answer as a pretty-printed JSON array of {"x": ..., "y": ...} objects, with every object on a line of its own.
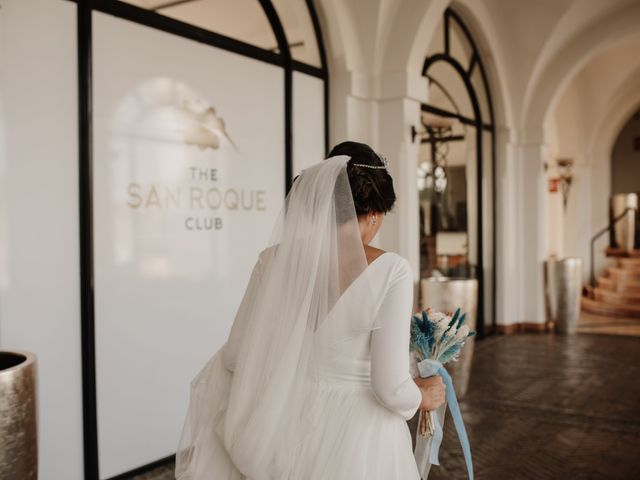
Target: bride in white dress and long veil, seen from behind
[{"x": 313, "y": 382}]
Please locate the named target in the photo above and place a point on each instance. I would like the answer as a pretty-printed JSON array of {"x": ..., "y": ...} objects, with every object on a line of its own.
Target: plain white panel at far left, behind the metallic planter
[{"x": 39, "y": 269}]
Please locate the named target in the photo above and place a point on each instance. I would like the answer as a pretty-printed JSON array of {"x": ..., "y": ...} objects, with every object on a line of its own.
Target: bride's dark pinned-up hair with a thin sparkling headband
[{"x": 372, "y": 188}]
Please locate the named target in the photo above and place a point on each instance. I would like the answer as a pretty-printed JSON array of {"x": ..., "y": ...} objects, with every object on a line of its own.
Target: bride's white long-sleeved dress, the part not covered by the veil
[{"x": 354, "y": 427}]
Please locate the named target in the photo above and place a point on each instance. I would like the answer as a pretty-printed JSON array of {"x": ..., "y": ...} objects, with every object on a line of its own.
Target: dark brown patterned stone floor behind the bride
[{"x": 545, "y": 406}]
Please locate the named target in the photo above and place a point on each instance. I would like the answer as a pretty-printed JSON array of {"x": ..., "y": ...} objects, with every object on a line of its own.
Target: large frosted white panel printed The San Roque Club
[{"x": 188, "y": 181}]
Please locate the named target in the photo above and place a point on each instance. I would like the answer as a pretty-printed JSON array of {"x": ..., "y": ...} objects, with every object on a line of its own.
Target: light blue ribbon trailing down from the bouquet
[{"x": 427, "y": 368}]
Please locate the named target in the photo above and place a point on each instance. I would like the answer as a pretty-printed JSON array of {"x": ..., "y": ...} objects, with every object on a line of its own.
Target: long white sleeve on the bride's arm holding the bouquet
[{"x": 391, "y": 380}]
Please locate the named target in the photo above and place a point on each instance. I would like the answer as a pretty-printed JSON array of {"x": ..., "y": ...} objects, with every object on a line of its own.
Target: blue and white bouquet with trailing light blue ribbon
[{"x": 436, "y": 339}]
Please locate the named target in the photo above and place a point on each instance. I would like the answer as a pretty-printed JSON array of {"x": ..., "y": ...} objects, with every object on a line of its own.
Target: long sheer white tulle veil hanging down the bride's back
[{"x": 249, "y": 421}]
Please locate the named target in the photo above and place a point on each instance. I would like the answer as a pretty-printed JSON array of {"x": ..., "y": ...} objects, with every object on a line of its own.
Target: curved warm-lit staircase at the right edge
[{"x": 617, "y": 293}]
